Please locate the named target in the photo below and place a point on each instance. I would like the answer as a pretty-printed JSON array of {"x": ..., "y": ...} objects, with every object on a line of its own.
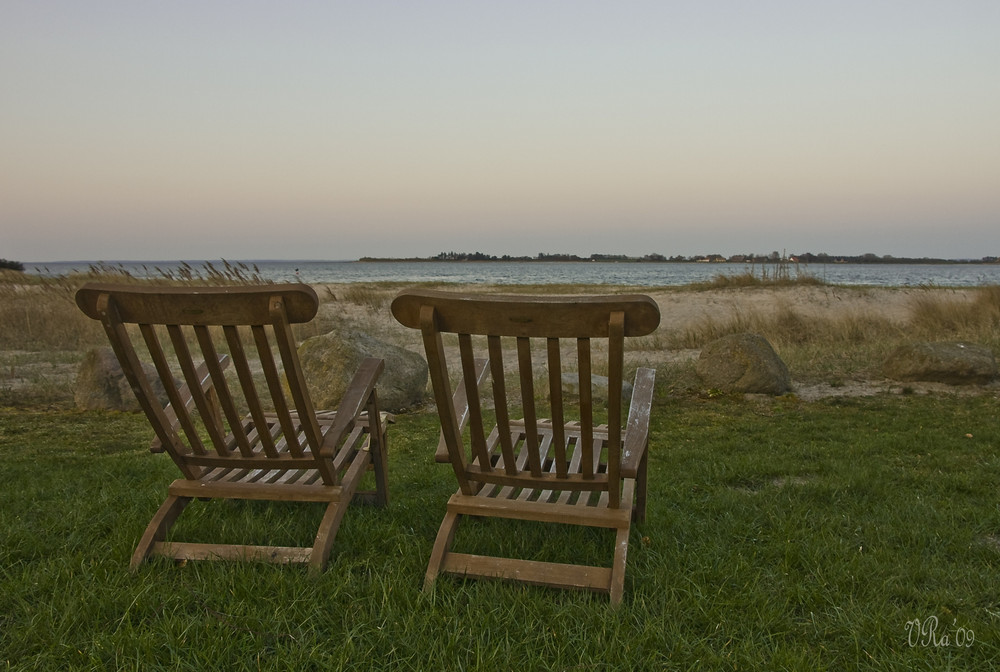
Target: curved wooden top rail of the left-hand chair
[{"x": 194, "y": 305}]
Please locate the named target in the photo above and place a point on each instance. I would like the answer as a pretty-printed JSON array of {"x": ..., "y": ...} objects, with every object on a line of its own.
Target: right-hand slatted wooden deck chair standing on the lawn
[{"x": 565, "y": 469}]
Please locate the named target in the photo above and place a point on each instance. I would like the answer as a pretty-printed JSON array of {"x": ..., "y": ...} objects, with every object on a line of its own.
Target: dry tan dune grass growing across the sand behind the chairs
[{"x": 43, "y": 334}]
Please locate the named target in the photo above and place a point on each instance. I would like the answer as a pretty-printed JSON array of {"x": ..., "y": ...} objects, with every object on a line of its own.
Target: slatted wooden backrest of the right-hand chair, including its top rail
[{"x": 550, "y": 321}]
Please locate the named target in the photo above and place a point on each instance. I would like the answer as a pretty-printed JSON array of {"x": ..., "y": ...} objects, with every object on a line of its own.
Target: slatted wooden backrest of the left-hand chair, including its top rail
[{"x": 190, "y": 335}]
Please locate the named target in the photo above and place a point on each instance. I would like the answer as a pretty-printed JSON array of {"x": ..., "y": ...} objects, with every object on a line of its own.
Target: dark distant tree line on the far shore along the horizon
[{"x": 750, "y": 258}]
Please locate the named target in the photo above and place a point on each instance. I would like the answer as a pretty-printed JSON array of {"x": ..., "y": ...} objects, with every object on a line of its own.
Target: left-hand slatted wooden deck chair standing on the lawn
[{"x": 245, "y": 435}]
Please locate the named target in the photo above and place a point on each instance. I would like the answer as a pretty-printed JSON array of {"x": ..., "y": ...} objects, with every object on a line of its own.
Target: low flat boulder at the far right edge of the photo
[{"x": 948, "y": 362}]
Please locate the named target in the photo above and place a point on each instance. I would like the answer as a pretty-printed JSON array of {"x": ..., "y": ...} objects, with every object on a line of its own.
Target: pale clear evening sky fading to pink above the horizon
[{"x": 204, "y": 129}]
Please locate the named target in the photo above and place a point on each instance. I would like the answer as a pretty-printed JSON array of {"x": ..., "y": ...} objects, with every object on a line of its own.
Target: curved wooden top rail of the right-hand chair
[{"x": 569, "y": 316}]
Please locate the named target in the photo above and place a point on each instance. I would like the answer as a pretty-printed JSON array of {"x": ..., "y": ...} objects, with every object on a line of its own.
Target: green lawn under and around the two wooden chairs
[{"x": 780, "y": 535}]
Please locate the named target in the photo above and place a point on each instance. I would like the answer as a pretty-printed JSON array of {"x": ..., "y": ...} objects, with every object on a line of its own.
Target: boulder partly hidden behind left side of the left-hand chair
[{"x": 101, "y": 383}]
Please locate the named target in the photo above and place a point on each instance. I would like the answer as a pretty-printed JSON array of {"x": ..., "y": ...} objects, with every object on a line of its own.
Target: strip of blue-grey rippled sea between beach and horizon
[{"x": 590, "y": 273}]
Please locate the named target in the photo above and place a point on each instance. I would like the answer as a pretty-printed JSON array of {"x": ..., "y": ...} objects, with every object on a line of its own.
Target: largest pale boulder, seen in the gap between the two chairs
[{"x": 330, "y": 361}]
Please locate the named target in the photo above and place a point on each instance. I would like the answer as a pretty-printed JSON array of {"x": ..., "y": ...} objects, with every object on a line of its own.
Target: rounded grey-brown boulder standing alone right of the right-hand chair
[{"x": 743, "y": 363}]
